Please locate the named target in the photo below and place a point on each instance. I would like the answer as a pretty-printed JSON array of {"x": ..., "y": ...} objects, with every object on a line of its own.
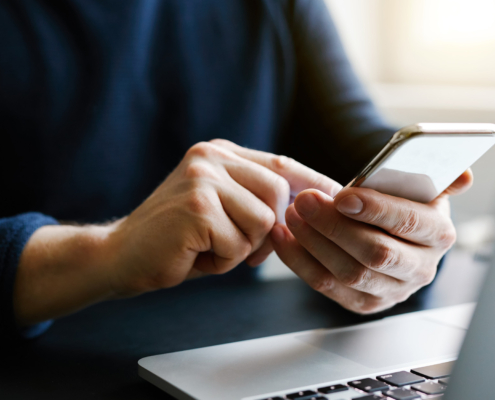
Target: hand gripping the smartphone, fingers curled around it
[{"x": 363, "y": 249}]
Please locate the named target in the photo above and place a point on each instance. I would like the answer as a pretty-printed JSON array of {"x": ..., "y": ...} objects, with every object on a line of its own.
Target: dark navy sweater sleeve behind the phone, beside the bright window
[{"x": 335, "y": 128}]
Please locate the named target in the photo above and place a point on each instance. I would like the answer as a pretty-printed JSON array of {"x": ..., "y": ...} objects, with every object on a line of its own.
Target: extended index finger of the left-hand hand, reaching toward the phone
[{"x": 298, "y": 175}]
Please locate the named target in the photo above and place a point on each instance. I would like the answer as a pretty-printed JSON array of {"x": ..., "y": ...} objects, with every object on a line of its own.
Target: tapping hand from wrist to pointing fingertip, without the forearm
[{"x": 214, "y": 211}]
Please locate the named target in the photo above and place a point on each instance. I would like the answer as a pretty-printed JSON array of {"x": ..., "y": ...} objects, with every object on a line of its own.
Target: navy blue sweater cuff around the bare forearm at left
[{"x": 14, "y": 234}]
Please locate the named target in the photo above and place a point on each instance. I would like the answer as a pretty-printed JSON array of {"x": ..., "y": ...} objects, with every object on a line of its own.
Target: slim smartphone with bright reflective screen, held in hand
[{"x": 420, "y": 161}]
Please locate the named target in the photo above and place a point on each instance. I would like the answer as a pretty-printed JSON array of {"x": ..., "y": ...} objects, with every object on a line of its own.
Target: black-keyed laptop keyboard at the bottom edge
[{"x": 420, "y": 383}]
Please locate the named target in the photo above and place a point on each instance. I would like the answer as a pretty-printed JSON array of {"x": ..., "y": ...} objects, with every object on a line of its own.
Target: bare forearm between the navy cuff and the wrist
[{"x": 61, "y": 270}]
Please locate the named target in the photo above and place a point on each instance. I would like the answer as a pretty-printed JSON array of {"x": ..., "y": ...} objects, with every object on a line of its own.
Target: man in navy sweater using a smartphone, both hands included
[{"x": 100, "y": 100}]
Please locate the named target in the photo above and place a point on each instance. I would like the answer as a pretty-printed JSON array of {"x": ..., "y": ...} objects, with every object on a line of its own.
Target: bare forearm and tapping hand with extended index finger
[{"x": 215, "y": 210}]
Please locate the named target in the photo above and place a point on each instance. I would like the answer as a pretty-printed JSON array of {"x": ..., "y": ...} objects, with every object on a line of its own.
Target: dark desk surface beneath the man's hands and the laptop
[{"x": 93, "y": 354}]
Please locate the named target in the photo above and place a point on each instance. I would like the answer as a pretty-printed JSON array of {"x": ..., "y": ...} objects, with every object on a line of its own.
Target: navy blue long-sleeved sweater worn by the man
[{"x": 100, "y": 99}]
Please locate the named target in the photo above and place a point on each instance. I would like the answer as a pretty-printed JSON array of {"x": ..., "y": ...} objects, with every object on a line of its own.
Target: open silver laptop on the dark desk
[{"x": 409, "y": 356}]
